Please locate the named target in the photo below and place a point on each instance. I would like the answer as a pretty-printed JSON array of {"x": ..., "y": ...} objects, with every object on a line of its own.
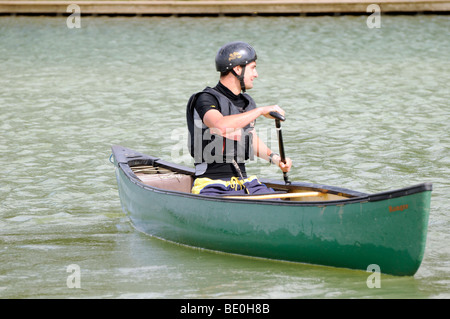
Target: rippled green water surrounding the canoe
[{"x": 368, "y": 109}]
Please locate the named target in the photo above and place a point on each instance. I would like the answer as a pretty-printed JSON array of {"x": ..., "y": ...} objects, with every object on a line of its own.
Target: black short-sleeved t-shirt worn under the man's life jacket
[{"x": 206, "y": 102}]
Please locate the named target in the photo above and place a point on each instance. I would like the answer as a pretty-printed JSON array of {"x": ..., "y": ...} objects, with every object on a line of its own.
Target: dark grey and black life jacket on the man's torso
[{"x": 206, "y": 147}]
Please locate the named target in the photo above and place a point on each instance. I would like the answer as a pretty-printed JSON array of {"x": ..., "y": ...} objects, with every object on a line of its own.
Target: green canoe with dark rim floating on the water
[{"x": 312, "y": 223}]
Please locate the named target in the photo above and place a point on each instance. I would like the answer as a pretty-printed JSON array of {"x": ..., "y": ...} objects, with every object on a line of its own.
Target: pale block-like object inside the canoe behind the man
[{"x": 173, "y": 182}]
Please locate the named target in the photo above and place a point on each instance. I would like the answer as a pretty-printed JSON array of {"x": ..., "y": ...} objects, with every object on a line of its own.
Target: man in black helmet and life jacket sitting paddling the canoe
[{"x": 221, "y": 127}]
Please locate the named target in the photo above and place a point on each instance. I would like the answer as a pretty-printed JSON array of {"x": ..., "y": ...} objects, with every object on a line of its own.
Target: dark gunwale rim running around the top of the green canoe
[{"x": 126, "y": 158}]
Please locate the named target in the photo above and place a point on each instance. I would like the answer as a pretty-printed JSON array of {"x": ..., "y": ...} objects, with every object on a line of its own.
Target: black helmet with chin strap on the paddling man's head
[{"x": 233, "y": 54}]
